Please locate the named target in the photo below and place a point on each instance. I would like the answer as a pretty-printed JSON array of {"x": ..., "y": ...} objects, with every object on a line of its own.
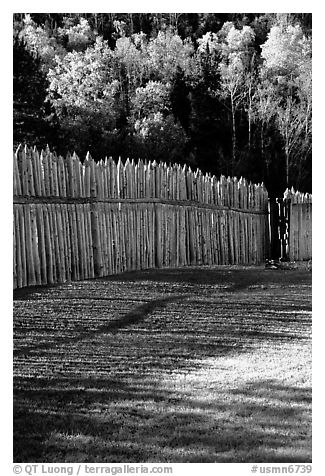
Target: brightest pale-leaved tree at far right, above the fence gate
[{"x": 287, "y": 69}]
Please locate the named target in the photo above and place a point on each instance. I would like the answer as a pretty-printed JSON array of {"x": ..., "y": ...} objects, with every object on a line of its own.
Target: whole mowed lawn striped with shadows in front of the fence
[{"x": 182, "y": 365}]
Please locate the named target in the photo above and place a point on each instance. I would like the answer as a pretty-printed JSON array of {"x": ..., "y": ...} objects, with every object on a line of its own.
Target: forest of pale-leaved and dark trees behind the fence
[{"x": 227, "y": 93}]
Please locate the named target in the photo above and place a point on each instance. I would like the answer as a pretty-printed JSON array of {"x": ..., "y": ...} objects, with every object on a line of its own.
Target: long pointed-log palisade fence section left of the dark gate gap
[{"x": 75, "y": 220}]
